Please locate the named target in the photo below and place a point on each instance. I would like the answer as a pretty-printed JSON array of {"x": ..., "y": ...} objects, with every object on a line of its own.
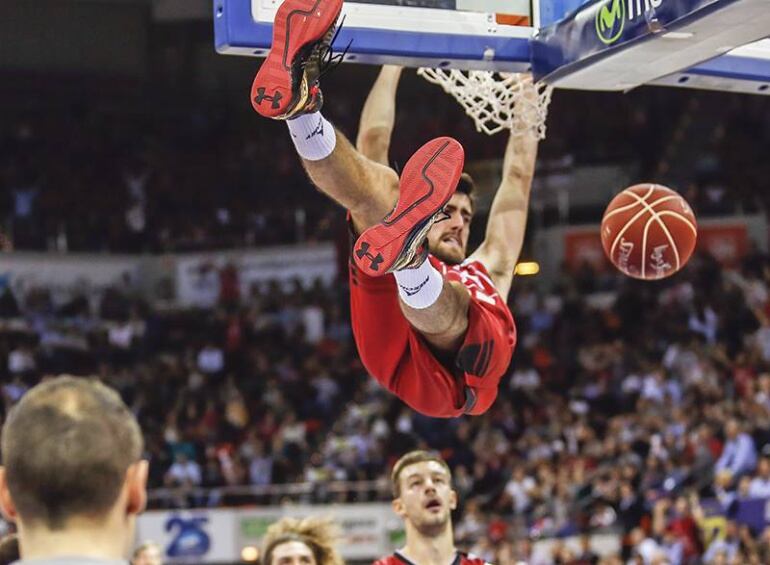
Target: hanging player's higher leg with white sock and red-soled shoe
[{"x": 286, "y": 87}]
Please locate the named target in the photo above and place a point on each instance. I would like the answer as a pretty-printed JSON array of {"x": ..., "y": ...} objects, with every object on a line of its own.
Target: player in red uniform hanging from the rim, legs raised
[{"x": 431, "y": 324}]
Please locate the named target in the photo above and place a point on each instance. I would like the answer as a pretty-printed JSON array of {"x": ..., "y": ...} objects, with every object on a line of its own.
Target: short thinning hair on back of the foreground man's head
[{"x": 66, "y": 448}]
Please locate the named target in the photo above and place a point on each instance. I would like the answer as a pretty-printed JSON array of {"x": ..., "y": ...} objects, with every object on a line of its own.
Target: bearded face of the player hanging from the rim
[{"x": 448, "y": 239}]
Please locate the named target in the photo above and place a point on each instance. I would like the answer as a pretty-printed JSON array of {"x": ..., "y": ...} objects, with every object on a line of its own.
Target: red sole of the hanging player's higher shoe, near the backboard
[{"x": 297, "y": 24}]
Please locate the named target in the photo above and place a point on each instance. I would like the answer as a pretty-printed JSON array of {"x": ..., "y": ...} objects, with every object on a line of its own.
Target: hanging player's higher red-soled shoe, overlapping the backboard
[{"x": 287, "y": 82}]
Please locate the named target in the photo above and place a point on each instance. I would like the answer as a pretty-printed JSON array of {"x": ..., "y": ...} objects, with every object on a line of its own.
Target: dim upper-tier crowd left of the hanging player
[{"x": 150, "y": 185}]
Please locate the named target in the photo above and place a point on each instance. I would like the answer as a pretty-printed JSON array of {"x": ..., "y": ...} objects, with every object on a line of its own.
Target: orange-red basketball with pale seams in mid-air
[{"x": 649, "y": 231}]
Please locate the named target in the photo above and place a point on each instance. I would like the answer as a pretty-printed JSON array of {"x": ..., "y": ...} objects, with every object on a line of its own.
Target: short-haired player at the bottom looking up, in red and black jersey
[{"x": 423, "y": 497}]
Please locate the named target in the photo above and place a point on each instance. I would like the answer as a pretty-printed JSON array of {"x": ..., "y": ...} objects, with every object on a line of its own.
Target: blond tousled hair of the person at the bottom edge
[{"x": 319, "y": 534}]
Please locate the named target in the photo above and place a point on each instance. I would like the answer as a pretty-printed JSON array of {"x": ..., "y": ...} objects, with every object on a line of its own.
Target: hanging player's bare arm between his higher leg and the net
[{"x": 379, "y": 115}]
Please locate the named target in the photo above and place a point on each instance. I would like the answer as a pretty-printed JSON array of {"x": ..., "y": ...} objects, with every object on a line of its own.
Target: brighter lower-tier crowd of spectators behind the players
[{"x": 638, "y": 408}]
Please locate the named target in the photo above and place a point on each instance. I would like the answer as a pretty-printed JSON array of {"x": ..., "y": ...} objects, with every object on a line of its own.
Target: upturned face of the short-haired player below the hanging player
[{"x": 427, "y": 498}]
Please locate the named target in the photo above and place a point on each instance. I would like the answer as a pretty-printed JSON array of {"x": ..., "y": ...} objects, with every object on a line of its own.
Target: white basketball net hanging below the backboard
[{"x": 496, "y": 101}]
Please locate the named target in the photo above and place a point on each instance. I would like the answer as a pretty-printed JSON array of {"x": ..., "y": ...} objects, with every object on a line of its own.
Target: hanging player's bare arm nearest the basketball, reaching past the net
[{"x": 507, "y": 223}]
